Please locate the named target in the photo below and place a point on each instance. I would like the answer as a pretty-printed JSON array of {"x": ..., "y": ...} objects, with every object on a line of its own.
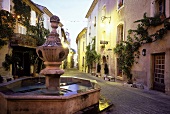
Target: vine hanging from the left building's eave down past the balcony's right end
[{"x": 37, "y": 32}]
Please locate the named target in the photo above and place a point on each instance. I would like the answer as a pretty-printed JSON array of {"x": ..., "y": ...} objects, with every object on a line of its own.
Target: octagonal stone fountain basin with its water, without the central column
[{"x": 25, "y": 96}]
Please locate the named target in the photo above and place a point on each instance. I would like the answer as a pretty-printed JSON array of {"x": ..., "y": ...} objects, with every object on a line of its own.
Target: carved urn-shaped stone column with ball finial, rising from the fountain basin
[{"x": 52, "y": 53}]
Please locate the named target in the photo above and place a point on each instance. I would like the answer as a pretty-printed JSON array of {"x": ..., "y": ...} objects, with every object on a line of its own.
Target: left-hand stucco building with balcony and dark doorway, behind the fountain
[{"x": 22, "y": 45}]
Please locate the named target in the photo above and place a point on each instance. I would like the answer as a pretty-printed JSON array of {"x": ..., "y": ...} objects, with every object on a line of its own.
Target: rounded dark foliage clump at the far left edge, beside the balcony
[{"x": 7, "y": 23}]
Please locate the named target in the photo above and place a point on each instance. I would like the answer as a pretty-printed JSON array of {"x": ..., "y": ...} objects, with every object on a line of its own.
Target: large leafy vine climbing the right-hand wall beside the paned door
[{"x": 128, "y": 51}]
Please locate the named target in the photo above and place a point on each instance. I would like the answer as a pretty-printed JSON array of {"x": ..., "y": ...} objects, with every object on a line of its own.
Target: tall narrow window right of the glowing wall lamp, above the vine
[{"x": 120, "y": 33}]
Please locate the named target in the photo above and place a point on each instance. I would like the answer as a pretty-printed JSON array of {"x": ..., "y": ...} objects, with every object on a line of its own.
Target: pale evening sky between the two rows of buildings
[{"x": 71, "y": 13}]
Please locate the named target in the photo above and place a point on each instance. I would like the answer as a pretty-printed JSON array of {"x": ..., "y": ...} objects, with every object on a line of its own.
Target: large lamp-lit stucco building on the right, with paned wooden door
[{"x": 114, "y": 18}]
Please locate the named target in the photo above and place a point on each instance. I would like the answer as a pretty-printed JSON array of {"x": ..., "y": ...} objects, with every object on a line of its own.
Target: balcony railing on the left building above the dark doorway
[{"x": 23, "y": 40}]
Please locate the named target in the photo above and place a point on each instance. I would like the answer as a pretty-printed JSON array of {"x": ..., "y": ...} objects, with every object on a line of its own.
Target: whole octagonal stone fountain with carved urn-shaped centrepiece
[{"x": 55, "y": 94}]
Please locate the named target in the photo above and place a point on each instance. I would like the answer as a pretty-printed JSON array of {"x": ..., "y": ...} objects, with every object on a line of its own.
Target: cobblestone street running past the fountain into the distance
[{"x": 128, "y": 100}]
